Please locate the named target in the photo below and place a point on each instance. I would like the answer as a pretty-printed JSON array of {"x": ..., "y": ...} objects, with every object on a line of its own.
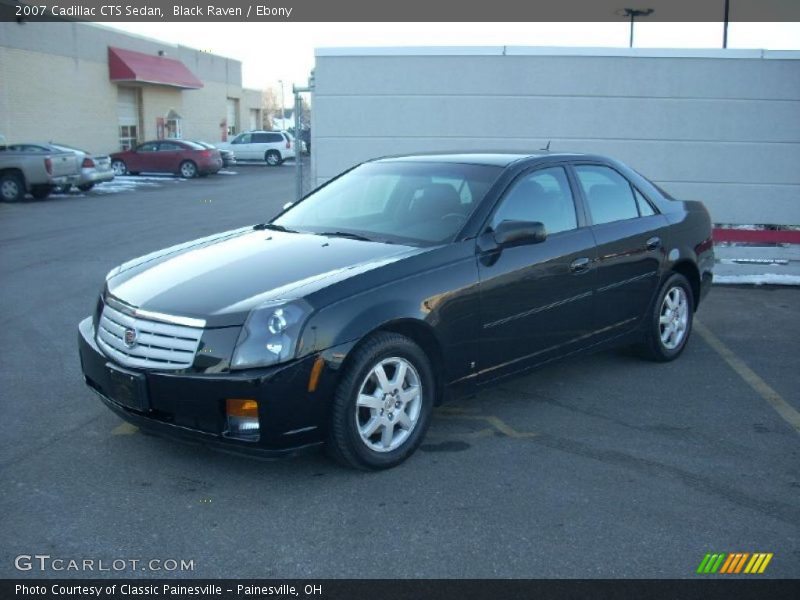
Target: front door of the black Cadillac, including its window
[{"x": 536, "y": 299}]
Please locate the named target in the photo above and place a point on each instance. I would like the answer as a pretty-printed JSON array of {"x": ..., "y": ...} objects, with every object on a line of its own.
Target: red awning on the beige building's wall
[{"x": 130, "y": 66}]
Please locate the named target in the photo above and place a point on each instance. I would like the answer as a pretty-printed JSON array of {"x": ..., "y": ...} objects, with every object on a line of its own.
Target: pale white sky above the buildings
[{"x": 270, "y": 52}]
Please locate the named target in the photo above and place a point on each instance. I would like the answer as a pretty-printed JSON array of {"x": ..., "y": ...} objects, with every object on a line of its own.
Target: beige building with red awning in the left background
[{"x": 102, "y": 90}]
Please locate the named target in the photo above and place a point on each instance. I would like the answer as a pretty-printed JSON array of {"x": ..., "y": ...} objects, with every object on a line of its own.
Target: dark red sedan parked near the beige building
[{"x": 187, "y": 159}]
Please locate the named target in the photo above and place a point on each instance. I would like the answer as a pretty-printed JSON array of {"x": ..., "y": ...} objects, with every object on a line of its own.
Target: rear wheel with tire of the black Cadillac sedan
[{"x": 672, "y": 311}]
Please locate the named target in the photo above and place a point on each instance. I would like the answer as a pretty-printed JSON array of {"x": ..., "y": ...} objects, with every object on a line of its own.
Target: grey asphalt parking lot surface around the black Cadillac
[{"x": 602, "y": 466}]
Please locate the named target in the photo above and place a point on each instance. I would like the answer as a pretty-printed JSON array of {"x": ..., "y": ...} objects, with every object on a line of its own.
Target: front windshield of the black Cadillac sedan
[{"x": 413, "y": 202}]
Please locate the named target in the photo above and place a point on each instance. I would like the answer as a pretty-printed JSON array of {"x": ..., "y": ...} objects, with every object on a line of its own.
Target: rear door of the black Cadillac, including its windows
[{"x": 630, "y": 250}]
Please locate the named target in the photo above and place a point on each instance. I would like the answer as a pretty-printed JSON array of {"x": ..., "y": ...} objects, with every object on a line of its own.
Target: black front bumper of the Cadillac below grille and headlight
[{"x": 191, "y": 406}]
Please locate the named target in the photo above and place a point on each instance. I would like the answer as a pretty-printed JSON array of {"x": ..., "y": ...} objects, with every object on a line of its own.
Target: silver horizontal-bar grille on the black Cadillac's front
[{"x": 157, "y": 345}]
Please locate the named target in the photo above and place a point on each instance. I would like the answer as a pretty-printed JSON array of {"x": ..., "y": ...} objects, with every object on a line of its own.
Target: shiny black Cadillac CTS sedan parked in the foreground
[{"x": 345, "y": 319}]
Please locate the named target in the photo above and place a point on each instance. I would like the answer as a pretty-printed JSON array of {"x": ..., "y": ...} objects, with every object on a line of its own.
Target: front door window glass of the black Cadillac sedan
[{"x": 543, "y": 196}]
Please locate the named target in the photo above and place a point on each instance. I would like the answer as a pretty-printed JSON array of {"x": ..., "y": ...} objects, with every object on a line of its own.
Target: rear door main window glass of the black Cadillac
[{"x": 608, "y": 194}]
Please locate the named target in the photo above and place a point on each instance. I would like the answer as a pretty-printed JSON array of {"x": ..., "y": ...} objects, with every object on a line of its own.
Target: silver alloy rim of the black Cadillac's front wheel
[{"x": 388, "y": 404}]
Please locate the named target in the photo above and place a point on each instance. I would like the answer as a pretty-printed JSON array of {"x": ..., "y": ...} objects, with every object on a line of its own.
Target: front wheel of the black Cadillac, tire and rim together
[{"x": 360, "y": 404}]
